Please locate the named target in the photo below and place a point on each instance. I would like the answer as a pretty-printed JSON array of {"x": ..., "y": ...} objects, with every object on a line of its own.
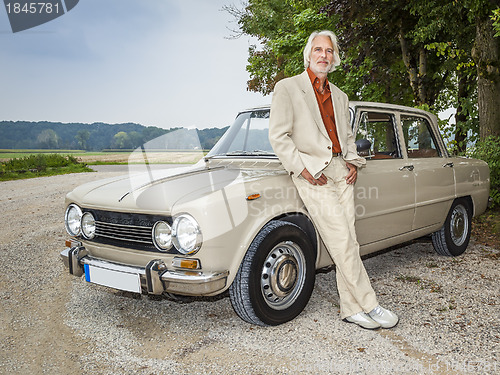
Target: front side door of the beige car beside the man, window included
[{"x": 385, "y": 189}]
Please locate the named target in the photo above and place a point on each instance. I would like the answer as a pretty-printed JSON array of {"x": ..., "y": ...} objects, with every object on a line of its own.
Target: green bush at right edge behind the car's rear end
[{"x": 489, "y": 151}]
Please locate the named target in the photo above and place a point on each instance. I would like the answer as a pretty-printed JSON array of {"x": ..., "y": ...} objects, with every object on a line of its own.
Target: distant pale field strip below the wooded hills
[{"x": 114, "y": 156}]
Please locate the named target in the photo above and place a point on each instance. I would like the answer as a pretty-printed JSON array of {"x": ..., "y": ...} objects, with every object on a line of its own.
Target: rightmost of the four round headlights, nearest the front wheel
[{"x": 186, "y": 234}]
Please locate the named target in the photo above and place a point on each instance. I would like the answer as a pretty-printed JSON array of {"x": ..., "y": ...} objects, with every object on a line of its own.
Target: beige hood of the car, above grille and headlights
[{"x": 158, "y": 191}]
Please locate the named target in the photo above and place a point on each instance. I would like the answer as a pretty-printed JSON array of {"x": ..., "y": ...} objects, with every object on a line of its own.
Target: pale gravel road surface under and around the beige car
[{"x": 54, "y": 323}]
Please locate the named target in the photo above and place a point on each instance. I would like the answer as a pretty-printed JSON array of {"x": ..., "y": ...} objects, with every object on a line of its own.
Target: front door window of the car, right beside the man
[{"x": 378, "y": 129}]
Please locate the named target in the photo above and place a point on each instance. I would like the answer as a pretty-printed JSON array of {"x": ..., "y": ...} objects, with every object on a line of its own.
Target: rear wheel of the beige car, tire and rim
[{"x": 453, "y": 238}]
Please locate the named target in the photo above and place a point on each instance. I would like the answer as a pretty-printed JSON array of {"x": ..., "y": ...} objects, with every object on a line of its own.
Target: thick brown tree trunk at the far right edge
[{"x": 486, "y": 54}]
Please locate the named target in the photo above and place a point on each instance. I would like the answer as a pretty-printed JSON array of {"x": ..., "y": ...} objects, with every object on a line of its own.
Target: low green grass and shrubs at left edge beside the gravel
[{"x": 38, "y": 165}]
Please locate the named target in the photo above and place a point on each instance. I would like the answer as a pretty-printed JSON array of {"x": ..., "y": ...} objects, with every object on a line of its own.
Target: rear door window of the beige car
[{"x": 420, "y": 142}]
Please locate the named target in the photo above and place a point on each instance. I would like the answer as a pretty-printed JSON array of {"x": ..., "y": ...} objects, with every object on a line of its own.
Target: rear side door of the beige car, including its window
[{"x": 434, "y": 171}]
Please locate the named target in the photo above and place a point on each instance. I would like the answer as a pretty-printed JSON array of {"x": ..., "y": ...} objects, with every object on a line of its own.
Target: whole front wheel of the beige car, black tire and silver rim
[{"x": 276, "y": 277}]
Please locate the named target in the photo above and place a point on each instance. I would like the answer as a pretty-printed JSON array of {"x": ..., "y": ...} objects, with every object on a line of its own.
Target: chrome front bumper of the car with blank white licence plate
[{"x": 155, "y": 278}]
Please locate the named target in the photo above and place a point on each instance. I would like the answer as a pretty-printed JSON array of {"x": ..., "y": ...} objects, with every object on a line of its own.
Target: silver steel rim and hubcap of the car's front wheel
[{"x": 283, "y": 275}]
